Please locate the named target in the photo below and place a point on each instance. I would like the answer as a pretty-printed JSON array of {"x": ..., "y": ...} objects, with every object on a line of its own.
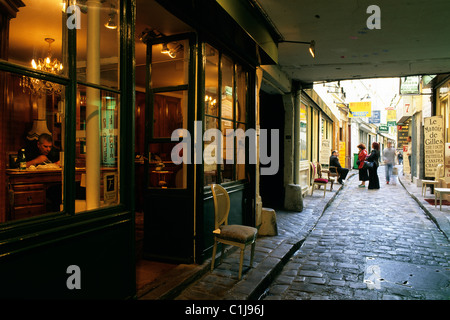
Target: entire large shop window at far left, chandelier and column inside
[{"x": 36, "y": 107}]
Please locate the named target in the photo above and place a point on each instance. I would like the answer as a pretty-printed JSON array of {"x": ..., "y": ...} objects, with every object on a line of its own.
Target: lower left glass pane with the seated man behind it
[{"x": 34, "y": 126}]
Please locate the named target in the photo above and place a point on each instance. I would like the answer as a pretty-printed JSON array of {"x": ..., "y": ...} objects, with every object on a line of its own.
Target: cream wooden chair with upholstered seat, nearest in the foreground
[{"x": 235, "y": 235}]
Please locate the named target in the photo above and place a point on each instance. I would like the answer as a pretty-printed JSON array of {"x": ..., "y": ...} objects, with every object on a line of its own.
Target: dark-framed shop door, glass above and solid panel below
[{"x": 169, "y": 187}]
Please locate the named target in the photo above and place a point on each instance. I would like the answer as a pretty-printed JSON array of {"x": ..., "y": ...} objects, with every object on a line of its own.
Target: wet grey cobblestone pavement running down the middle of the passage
[{"x": 369, "y": 245}]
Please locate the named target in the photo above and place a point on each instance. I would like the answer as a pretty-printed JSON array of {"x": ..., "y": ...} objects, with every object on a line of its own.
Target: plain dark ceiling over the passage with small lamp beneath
[{"x": 413, "y": 39}]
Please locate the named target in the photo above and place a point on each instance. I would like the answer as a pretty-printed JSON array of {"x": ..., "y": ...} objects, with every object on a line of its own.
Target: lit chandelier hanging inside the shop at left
[{"x": 47, "y": 64}]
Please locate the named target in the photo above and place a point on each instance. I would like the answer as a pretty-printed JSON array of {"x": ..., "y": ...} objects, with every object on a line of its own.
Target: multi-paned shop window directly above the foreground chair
[{"x": 226, "y": 111}]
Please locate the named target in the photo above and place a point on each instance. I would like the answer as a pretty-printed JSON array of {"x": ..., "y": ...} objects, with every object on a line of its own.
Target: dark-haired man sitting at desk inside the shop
[{"x": 42, "y": 152}]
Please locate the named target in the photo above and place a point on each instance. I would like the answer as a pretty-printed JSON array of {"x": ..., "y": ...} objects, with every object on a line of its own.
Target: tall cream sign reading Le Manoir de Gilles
[{"x": 433, "y": 144}]
